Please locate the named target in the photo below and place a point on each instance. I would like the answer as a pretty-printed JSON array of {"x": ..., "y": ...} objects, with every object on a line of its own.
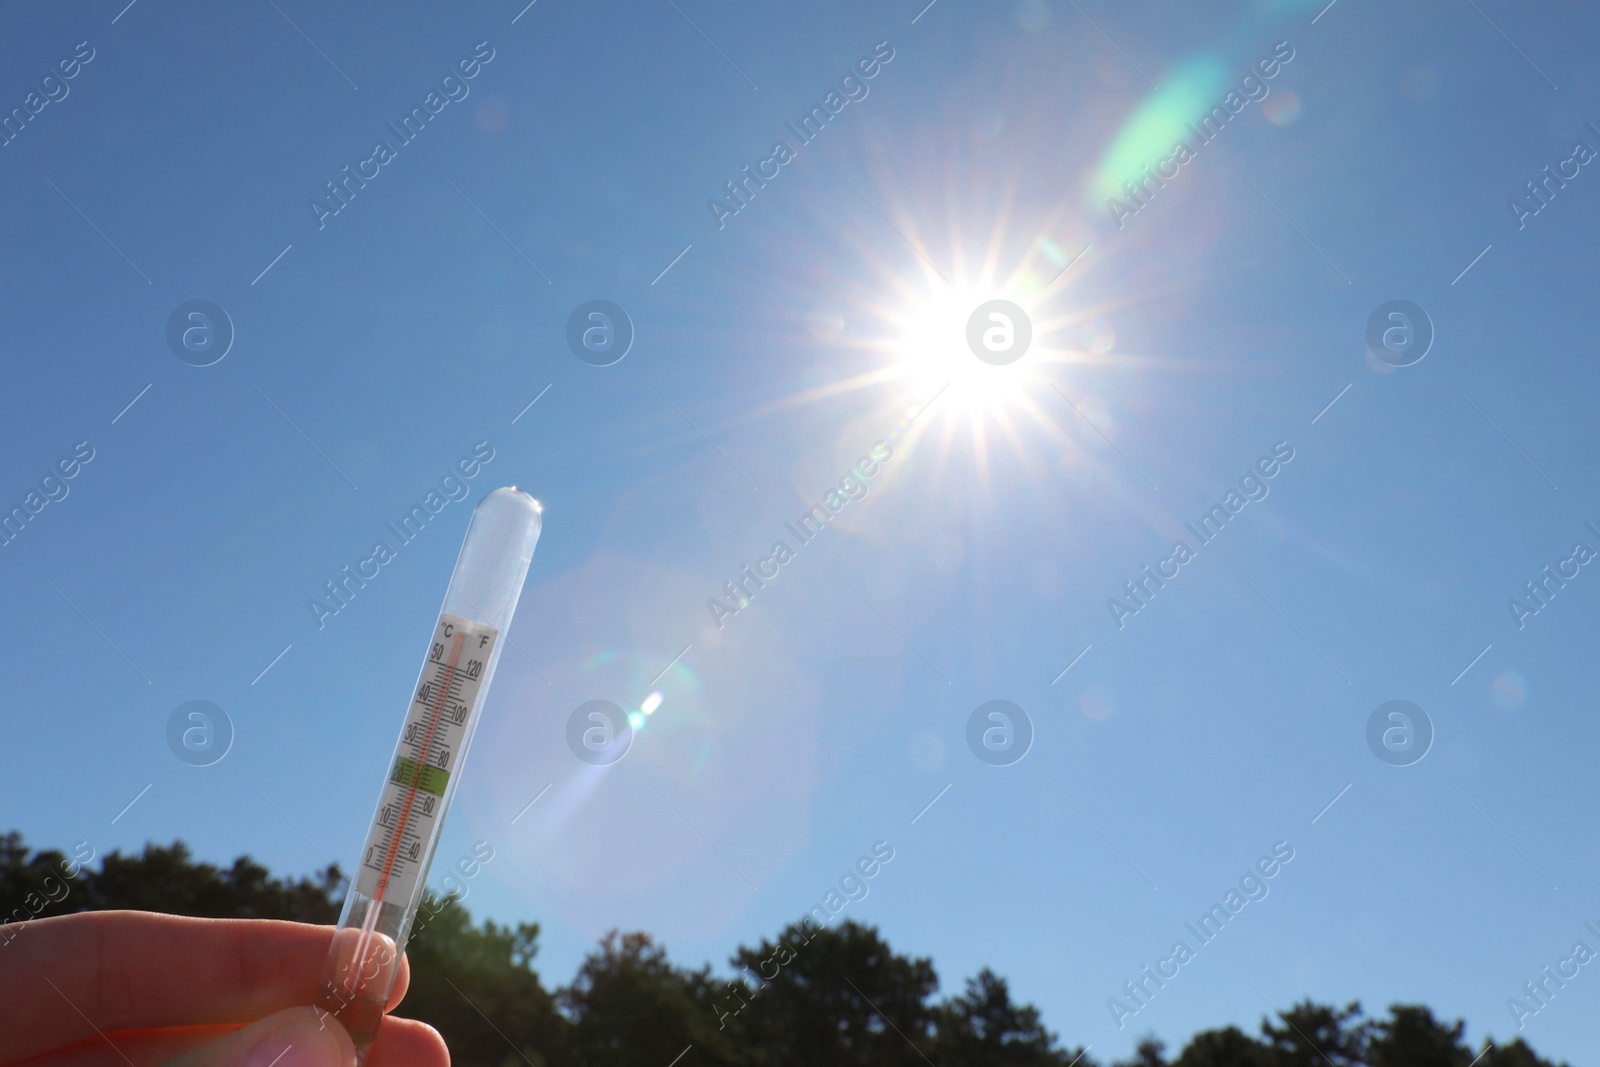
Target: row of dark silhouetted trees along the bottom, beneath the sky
[{"x": 842, "y": 996}]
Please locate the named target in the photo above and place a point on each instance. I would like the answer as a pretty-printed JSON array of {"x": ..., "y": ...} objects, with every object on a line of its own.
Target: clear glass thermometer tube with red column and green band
[{"x": 426, "y": 769}]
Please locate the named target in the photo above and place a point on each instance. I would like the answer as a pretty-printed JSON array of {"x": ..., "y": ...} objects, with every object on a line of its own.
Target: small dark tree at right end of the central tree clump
[{"x": 983, "y": 1026}]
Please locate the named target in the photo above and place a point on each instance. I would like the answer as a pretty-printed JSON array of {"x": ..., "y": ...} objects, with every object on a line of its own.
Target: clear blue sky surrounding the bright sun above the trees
[{"x": 1175, "y": 351}]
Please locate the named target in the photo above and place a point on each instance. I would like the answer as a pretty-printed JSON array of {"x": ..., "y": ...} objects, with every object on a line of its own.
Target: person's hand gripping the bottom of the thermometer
[{"x": 111, "y": 989}]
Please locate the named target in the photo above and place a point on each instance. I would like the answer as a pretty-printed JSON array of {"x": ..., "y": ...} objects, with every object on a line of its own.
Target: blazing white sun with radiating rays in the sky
[{"x": 985, "y": 332}]
